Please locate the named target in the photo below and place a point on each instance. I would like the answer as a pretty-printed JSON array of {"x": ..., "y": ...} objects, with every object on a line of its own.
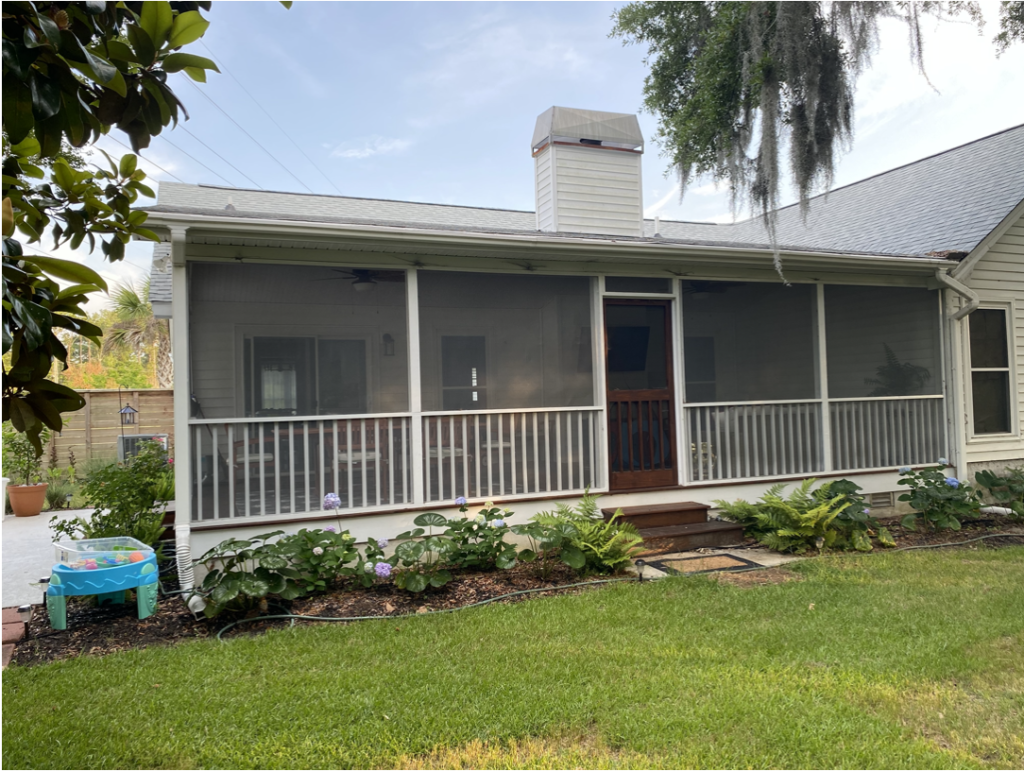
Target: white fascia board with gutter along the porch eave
[{"x": 625, "y": 249}]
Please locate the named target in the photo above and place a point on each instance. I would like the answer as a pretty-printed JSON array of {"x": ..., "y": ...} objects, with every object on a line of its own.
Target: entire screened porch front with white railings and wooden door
[{"x": 403, "y": 389}]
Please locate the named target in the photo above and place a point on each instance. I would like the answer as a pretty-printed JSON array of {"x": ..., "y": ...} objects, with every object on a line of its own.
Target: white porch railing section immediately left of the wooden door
[{"x": 511, "y": 453}]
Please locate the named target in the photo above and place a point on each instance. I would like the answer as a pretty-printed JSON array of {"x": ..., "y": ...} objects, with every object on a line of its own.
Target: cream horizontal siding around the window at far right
[{"x": 999, "y": 279}]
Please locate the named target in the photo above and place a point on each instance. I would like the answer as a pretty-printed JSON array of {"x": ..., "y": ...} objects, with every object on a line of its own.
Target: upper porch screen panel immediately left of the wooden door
[{"x": 499, "y": 341}]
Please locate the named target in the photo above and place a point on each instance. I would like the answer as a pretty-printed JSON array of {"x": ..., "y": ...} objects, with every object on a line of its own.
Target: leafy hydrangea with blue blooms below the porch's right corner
[{"x": 943, "y": 502}]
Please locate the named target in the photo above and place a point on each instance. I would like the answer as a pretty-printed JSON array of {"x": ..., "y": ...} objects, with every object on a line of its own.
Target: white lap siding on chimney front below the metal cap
[{"x": 598, "y": 191}]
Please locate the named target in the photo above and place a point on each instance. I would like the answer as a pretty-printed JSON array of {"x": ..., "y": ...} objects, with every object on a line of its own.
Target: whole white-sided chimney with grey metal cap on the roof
[{"x": 588, "y": 173}]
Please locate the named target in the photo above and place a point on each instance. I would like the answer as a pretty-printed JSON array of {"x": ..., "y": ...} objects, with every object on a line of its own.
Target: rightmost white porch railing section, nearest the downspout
[{"x": 887, "y": 432}]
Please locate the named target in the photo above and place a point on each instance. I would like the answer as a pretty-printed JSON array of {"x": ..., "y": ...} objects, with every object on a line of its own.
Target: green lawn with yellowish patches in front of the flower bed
[{"x": 886, "y": 661}]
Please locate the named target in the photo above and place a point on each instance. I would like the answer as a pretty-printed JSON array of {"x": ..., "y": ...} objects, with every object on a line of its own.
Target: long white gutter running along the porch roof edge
[{"x": 333, "y": 230}]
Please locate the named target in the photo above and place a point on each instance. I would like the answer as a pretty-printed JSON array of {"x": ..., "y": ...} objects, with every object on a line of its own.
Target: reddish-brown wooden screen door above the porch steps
[{"x": 642, "y": 413}]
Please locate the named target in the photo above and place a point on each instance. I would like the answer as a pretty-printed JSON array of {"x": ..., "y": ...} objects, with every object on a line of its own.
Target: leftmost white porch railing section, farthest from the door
[{"x": 253, "y": 467}]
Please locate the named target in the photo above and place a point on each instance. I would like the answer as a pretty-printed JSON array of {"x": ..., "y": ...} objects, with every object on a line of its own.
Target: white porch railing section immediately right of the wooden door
[{"x": 745, "y": 440}]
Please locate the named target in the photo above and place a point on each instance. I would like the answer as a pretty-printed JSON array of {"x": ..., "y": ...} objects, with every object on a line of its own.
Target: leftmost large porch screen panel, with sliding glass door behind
[{"x": 294, "y": 341}]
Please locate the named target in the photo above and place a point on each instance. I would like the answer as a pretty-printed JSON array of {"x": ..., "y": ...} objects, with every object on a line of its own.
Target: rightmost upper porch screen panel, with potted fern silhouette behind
[{"x": 882, "y": 341}]
